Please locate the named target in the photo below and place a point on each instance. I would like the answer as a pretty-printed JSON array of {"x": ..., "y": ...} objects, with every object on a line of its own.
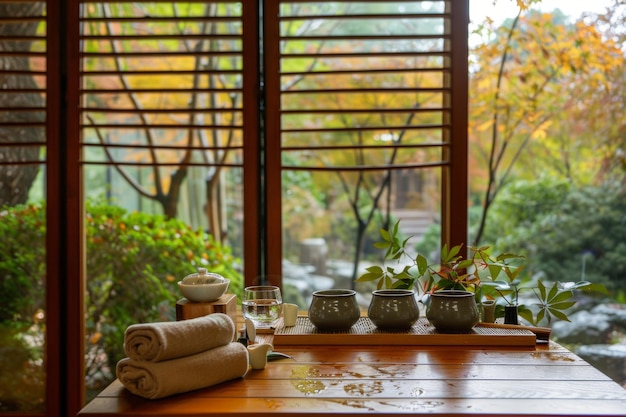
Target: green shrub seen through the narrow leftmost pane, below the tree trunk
[{"x": 22, "y": 300}]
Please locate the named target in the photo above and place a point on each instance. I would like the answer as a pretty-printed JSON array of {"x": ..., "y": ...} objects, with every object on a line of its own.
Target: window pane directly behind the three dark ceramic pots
[{"x": 363, "y": 99}]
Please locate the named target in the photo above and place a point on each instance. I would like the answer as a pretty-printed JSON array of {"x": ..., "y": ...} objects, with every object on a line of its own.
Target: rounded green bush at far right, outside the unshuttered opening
[{"x": 568, "y": 233}]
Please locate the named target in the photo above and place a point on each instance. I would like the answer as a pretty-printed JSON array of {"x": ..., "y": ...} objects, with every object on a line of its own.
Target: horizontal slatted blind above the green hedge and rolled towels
[{"x": 162, "y": 83}]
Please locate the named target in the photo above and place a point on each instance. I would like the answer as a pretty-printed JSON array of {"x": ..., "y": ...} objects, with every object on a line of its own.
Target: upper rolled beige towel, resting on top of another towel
[{"x": 162, "y": 341}]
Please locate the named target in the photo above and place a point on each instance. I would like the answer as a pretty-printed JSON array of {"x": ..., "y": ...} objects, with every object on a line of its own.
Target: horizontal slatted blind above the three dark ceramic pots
[{"x": 363, "y": 84}]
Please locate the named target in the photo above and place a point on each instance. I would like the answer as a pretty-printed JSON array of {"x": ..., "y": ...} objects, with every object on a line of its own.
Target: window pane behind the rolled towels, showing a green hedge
[{"x": 161, "y": 129}]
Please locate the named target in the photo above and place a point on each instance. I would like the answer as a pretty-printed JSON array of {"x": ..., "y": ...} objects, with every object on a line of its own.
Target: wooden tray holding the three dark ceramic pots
[{"x": 422, "y": 333}]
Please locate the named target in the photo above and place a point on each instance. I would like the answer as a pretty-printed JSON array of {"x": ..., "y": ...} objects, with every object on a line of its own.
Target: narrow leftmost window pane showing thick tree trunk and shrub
[{"x": 22, "y": 208}]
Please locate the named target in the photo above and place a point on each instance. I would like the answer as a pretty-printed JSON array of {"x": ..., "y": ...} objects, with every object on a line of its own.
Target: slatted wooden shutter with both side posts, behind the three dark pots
[{"x": 370, "y": 87}]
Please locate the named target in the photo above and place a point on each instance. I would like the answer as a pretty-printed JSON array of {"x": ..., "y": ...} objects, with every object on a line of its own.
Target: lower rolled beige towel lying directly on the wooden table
[{"x": 161, "y": 379}]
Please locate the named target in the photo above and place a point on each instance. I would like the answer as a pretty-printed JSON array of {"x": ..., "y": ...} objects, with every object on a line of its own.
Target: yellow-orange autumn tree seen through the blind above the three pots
[{"x": 361, "y": 129}]
